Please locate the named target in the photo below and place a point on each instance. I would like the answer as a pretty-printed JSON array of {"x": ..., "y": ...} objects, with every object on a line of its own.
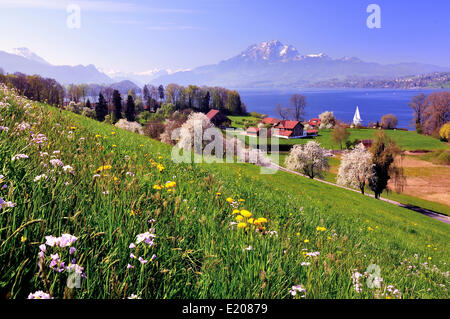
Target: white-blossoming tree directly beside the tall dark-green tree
[{"x": 355, "y": 168}]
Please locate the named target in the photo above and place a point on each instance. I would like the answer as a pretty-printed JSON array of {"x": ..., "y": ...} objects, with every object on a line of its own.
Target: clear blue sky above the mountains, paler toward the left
[{"x": 136, "y": 36}]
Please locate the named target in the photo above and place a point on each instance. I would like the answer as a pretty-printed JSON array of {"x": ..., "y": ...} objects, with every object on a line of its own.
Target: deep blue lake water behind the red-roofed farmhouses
[{"x": 373, "y": 103}]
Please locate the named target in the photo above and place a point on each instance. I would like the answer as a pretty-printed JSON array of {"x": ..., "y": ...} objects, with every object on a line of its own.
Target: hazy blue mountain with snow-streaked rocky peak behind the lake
[{"x": 273, "y": 64}]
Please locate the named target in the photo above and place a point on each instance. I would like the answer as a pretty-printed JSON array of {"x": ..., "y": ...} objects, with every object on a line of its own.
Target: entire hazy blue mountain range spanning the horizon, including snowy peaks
[{"x": 269, "y": 64}]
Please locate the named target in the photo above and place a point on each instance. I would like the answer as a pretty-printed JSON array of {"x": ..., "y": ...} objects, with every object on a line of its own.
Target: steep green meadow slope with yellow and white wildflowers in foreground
[{"x": 316, "y": 235}]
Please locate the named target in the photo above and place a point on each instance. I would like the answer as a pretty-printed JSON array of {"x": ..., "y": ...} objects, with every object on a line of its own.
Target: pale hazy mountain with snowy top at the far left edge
[{"x": 24, "y": 61}]
